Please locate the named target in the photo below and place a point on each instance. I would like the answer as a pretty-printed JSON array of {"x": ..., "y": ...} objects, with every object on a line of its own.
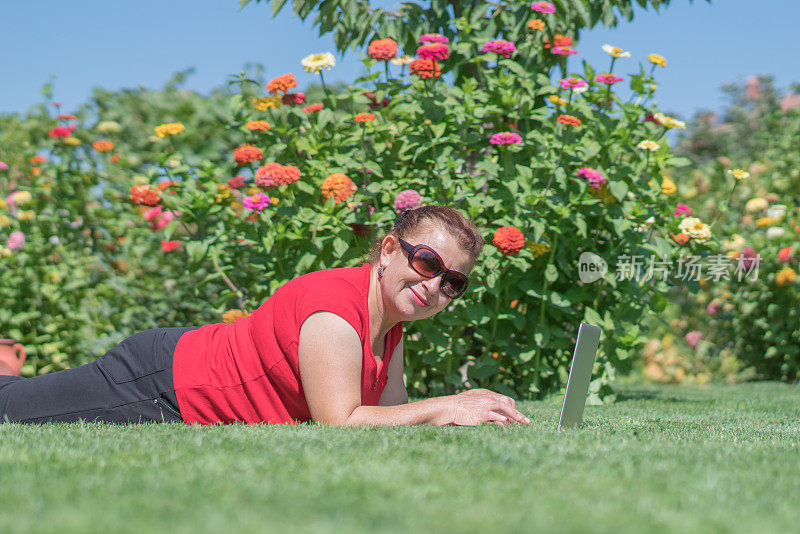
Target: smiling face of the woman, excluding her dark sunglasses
[{"x": 412, "y": 295}]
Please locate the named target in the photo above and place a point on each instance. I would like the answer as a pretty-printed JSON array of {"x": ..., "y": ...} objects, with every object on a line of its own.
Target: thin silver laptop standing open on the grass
[{"x": 580, "y": 372}]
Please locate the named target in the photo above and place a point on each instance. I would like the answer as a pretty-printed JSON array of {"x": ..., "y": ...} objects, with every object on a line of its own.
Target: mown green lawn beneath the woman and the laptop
[{"x": 662, "y": 459}]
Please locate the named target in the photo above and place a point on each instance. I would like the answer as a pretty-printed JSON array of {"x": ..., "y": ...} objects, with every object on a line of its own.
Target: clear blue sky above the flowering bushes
[{"x": 125, "y": 44}]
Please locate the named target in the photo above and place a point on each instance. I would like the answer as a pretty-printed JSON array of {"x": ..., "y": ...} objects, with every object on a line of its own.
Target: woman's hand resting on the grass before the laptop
[{"x": 477, "y": 406}]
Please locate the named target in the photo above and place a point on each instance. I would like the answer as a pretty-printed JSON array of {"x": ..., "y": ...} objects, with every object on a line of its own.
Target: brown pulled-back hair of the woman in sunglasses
[{"x": 450, "y": 220}]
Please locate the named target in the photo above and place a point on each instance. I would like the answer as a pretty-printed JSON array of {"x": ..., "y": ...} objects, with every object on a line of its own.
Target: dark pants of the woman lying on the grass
[{"x": 131, "y": 383}]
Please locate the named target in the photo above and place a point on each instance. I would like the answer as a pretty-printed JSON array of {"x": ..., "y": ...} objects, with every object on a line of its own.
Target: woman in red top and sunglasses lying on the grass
[{"x": 325, "y": 347}]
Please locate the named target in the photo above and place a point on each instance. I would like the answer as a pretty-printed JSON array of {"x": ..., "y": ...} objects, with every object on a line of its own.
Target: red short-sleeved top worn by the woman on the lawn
[{"x": 248, "y": 371}]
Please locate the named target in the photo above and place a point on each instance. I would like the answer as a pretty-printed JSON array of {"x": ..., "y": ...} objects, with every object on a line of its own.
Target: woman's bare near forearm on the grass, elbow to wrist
[{"x": 436, "y": 411}]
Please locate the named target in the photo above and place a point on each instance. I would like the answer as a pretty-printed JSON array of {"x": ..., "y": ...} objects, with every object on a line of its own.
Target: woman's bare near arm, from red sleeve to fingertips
[{"x": 329, "y": 352}]
